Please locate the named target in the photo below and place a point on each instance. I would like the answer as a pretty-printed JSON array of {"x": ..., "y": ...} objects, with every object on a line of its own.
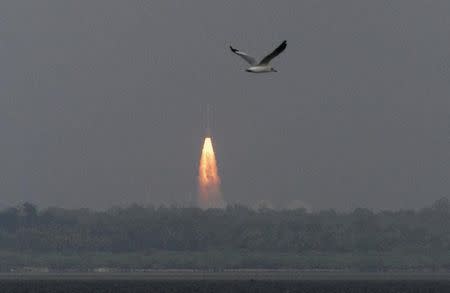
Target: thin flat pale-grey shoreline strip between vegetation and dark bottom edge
[{"x": 231, "y": 275}]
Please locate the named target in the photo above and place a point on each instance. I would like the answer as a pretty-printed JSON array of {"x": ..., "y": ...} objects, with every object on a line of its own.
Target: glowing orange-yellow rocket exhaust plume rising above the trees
[{"x": 209, "y": 195}]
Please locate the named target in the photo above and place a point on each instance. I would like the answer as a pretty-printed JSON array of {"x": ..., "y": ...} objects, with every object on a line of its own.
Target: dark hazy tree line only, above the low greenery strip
[{"x": 235, "y": 228}]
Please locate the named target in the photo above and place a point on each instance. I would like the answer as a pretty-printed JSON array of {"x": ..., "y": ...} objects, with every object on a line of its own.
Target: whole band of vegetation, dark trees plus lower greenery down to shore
[{"x": 188, "y": 237}]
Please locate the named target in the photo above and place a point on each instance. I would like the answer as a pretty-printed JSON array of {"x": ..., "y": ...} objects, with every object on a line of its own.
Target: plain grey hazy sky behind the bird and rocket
[{"x": 103, "y": 102}]
